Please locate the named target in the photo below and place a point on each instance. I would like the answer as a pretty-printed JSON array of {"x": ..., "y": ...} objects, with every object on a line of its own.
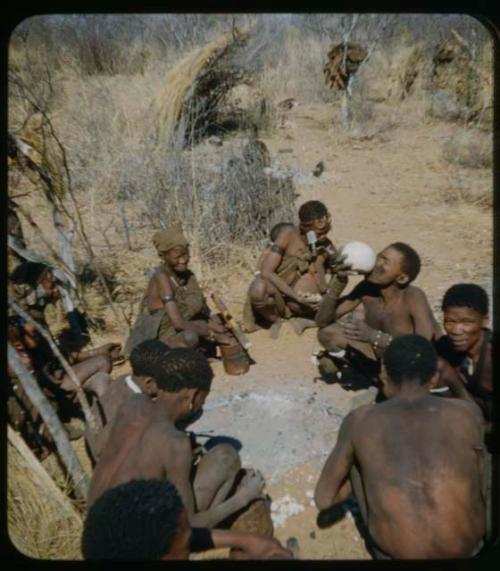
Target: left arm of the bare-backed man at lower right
[{"x": 337, "y": 466}]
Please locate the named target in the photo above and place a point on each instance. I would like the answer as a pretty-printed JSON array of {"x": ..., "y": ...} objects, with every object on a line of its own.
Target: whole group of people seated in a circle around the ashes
[{"x": 416, "y": 463}]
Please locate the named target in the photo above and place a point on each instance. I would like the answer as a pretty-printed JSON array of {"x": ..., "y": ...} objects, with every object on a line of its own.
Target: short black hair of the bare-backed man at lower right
[{"x": 410, "y": 357}]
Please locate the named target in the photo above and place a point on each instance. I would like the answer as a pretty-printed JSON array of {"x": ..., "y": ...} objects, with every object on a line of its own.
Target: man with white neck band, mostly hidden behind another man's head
[{"x": 145, "y": 362}]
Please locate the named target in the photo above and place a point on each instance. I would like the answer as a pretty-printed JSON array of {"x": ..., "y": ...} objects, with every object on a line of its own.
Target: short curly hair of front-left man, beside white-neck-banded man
[{"x": 183, "y": 368}]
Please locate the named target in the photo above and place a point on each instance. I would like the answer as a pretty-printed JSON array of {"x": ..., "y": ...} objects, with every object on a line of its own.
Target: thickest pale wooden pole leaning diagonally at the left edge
[{"x": 56, "y": 429}]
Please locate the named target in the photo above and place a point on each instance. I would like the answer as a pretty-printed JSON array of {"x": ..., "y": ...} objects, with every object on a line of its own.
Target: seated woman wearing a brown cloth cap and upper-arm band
[{"x": 174, "y": 309}]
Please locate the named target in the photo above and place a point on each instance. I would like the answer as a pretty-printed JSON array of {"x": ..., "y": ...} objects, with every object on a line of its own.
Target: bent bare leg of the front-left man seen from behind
[{"x": 215, "y": 476}]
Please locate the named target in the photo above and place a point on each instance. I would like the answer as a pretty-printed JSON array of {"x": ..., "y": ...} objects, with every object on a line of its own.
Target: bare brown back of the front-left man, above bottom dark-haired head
[{"x": 141, "y": 445}]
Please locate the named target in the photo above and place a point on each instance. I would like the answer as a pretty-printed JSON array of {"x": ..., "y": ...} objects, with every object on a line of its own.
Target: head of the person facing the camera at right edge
[{"x": 465, "y": 314}]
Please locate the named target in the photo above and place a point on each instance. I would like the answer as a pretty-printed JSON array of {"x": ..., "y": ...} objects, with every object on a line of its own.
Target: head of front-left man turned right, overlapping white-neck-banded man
[{"x": 186, "y": 375}]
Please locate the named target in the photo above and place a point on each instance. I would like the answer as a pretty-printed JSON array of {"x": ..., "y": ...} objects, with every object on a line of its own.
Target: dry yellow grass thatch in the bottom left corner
[{"x": 42, "y": 522}]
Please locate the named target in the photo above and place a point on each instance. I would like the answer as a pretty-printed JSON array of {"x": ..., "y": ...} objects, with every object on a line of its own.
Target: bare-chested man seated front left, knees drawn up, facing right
[{"x": 144, "y": 443}]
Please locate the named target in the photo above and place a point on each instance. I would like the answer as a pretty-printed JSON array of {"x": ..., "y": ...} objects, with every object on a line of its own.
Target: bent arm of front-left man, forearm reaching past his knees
[{"x": 178, "y": 463}]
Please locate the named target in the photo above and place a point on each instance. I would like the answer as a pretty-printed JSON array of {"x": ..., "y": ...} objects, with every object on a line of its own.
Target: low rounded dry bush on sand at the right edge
[{"x": 470, "y": 148}]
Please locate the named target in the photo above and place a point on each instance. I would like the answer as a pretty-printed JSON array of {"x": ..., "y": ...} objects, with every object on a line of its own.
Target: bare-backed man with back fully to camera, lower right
[{"x": 414, "y": 463}]
